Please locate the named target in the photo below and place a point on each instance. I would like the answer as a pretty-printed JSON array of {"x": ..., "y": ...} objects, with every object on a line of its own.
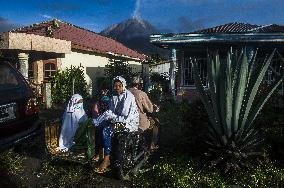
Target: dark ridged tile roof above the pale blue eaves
[{"x": 242, "y": 28}]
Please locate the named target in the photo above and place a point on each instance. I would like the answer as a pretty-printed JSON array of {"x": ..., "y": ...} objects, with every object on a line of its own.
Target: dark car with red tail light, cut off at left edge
[{"x": 19, "y": 118}]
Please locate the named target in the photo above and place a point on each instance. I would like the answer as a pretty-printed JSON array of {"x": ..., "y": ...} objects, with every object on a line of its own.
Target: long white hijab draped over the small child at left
[{"x": 74, "y": 114}]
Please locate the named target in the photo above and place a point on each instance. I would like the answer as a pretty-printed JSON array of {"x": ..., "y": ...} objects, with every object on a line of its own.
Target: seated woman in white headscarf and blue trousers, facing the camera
[{"x": 122, "y": 109}]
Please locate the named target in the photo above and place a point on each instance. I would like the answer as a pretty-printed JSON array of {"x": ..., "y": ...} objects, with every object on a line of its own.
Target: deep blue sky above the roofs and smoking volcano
[{"x": 168, "y": 16}]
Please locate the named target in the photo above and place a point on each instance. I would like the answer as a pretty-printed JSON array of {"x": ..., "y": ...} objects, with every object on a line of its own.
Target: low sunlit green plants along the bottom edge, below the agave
[{"x": 178, "y": 171}]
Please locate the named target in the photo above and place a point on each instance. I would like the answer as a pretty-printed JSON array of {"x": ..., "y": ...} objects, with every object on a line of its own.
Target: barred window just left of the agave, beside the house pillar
[{"x": 187, "y": 72}]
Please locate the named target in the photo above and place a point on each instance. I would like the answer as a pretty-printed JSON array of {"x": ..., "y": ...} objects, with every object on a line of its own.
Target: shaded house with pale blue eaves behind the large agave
[{"x": 188, "y": 46}]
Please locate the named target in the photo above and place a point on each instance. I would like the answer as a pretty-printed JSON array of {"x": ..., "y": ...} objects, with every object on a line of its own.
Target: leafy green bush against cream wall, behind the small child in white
[{"x": 62, "y": 84}]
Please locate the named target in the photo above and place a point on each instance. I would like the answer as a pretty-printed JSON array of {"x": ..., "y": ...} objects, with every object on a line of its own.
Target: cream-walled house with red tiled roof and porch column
[{"x": 41, "y": 49}]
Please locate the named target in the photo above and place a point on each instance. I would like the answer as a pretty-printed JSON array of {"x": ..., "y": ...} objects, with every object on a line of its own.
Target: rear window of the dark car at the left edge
[{"x": 8, "y": 77}]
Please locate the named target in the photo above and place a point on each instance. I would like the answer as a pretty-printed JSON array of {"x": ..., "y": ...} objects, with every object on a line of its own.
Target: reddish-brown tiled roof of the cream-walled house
[{"x": 80, "y": 38}]
